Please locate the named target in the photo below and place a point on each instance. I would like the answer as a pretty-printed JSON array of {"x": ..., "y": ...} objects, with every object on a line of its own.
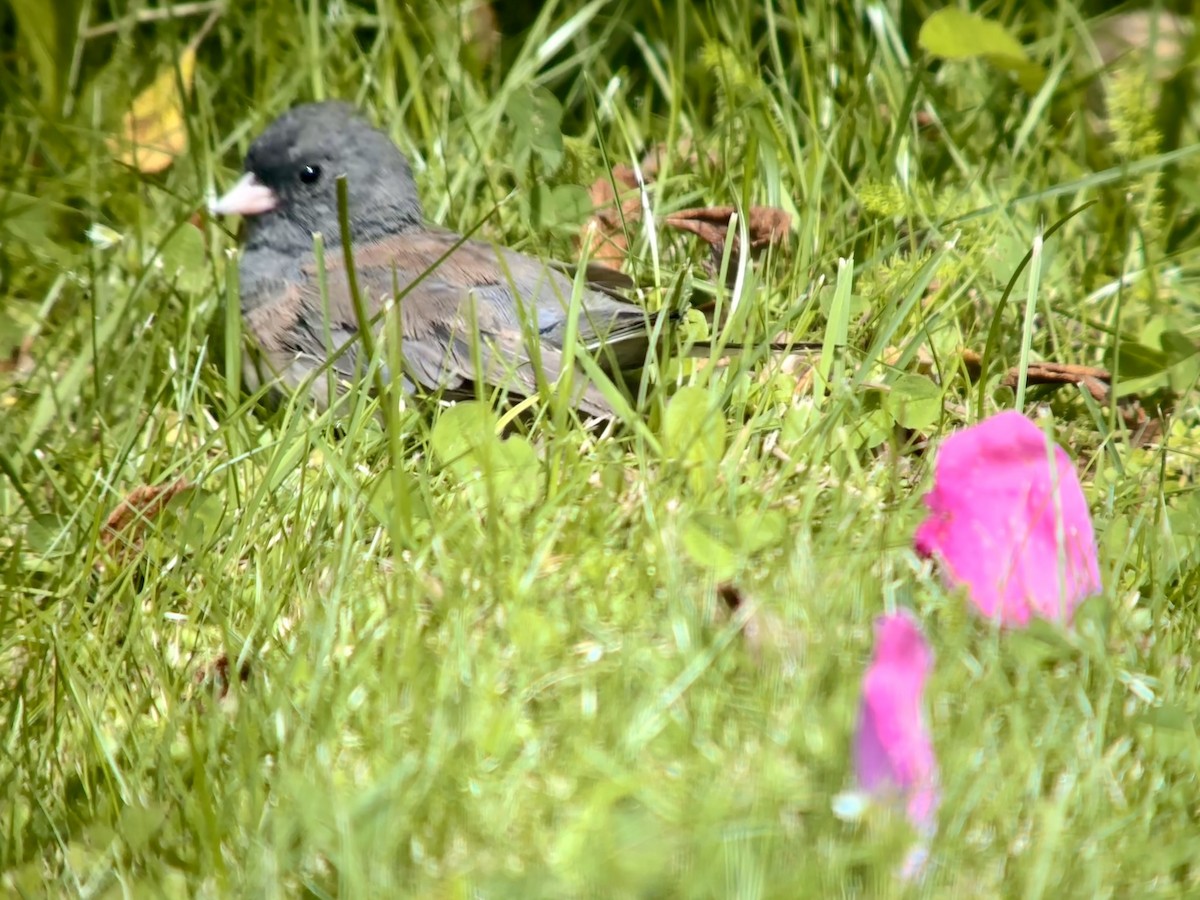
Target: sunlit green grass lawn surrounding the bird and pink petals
[{"x": 512, "y": 675}]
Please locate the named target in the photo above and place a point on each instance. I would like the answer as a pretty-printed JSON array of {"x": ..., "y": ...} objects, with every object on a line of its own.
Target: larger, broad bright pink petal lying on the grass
[{"x": 1010, "y": 526}]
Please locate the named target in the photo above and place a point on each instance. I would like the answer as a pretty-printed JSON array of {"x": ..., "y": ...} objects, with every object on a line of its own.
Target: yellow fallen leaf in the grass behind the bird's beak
[{"x": 154, "y": 130}]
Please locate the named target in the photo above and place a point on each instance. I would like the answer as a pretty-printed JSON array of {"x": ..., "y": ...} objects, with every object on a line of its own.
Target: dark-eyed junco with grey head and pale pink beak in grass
[{"x": 476, "y": 310}]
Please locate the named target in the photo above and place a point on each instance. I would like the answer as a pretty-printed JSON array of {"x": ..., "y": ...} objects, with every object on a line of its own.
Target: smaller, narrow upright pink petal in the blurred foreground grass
[{"x": 893, "y": 748}]
